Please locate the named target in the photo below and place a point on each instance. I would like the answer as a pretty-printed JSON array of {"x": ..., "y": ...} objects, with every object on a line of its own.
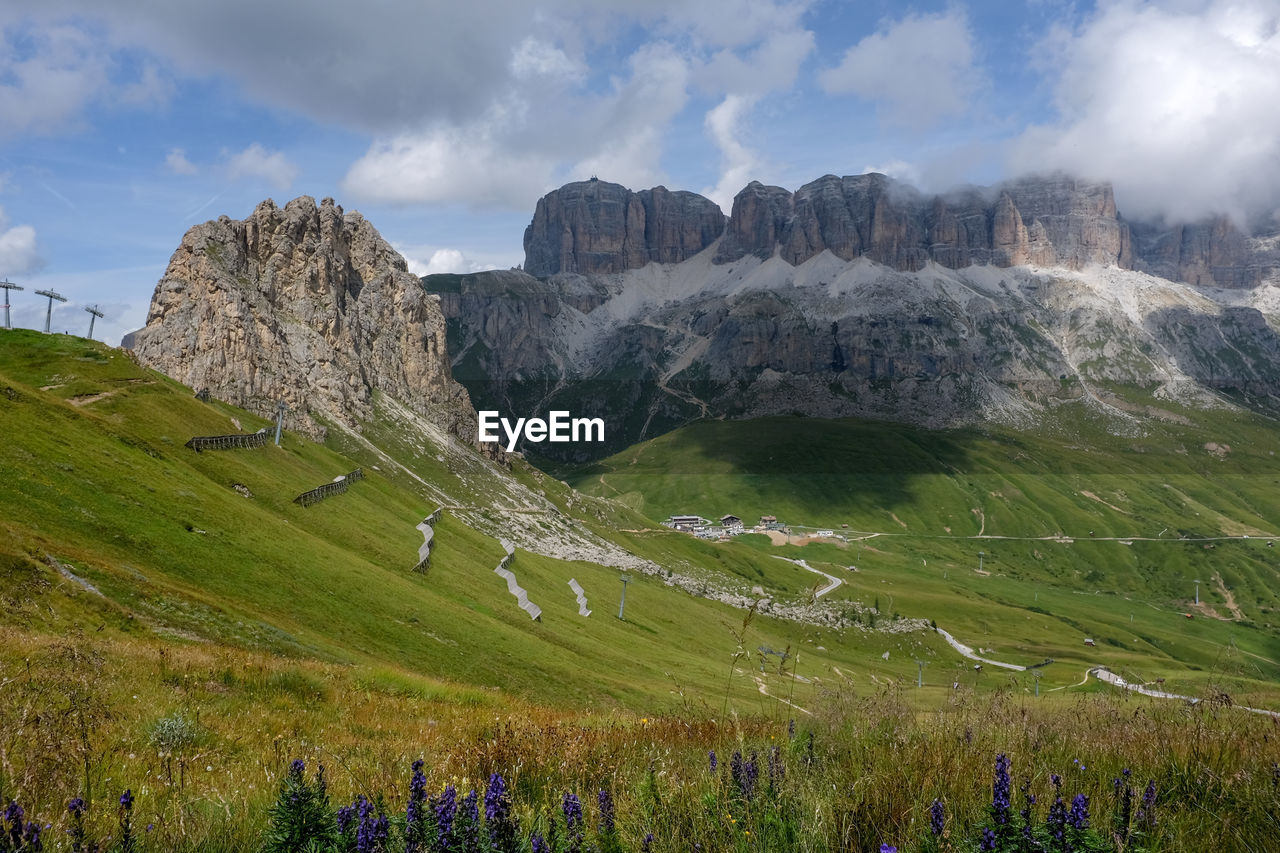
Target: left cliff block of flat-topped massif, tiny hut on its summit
[{"x": 600, "y": 227}]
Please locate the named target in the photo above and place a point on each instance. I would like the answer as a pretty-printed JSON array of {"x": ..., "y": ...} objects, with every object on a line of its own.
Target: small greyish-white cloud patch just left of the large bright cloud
[{"x": 918, "y": 71}]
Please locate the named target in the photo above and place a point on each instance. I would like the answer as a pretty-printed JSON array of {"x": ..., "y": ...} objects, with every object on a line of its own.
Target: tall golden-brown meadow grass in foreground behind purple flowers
[{"x": 204, "y": 738}]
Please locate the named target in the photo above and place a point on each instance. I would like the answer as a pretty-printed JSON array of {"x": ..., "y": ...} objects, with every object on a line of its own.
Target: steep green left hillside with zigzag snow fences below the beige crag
[{"x": 100, "y": 481}]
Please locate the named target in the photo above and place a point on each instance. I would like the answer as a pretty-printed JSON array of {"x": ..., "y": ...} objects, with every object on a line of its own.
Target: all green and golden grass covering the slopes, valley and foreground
[{"x": 162, "y": 632}]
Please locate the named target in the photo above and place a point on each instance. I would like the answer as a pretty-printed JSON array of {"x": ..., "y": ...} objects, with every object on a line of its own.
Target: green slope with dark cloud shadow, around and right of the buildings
[{"x": 1081, "y": 531}]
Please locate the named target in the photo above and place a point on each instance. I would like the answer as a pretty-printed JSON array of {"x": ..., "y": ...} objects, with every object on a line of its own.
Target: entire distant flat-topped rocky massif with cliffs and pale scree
[{"x": 861, "y": 297}]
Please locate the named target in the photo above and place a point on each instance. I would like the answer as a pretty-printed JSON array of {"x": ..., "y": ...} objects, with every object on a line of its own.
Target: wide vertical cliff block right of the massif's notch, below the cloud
[{"x": 1049, "y": 222}]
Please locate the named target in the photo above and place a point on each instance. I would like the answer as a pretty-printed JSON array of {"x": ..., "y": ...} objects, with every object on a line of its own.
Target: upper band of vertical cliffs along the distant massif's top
[{"x": 596, "y": 227}]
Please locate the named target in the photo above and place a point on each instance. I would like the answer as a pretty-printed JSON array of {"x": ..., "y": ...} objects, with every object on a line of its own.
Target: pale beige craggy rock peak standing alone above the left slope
[{"x": 308, "y": 305}]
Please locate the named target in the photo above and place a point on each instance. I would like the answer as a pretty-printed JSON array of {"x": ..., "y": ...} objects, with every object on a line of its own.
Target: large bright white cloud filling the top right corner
[{"x": 1176, "y": 104}]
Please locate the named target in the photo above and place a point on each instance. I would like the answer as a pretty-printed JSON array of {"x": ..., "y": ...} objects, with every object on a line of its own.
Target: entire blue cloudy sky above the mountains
[{"x": 124, "y": 125}]
